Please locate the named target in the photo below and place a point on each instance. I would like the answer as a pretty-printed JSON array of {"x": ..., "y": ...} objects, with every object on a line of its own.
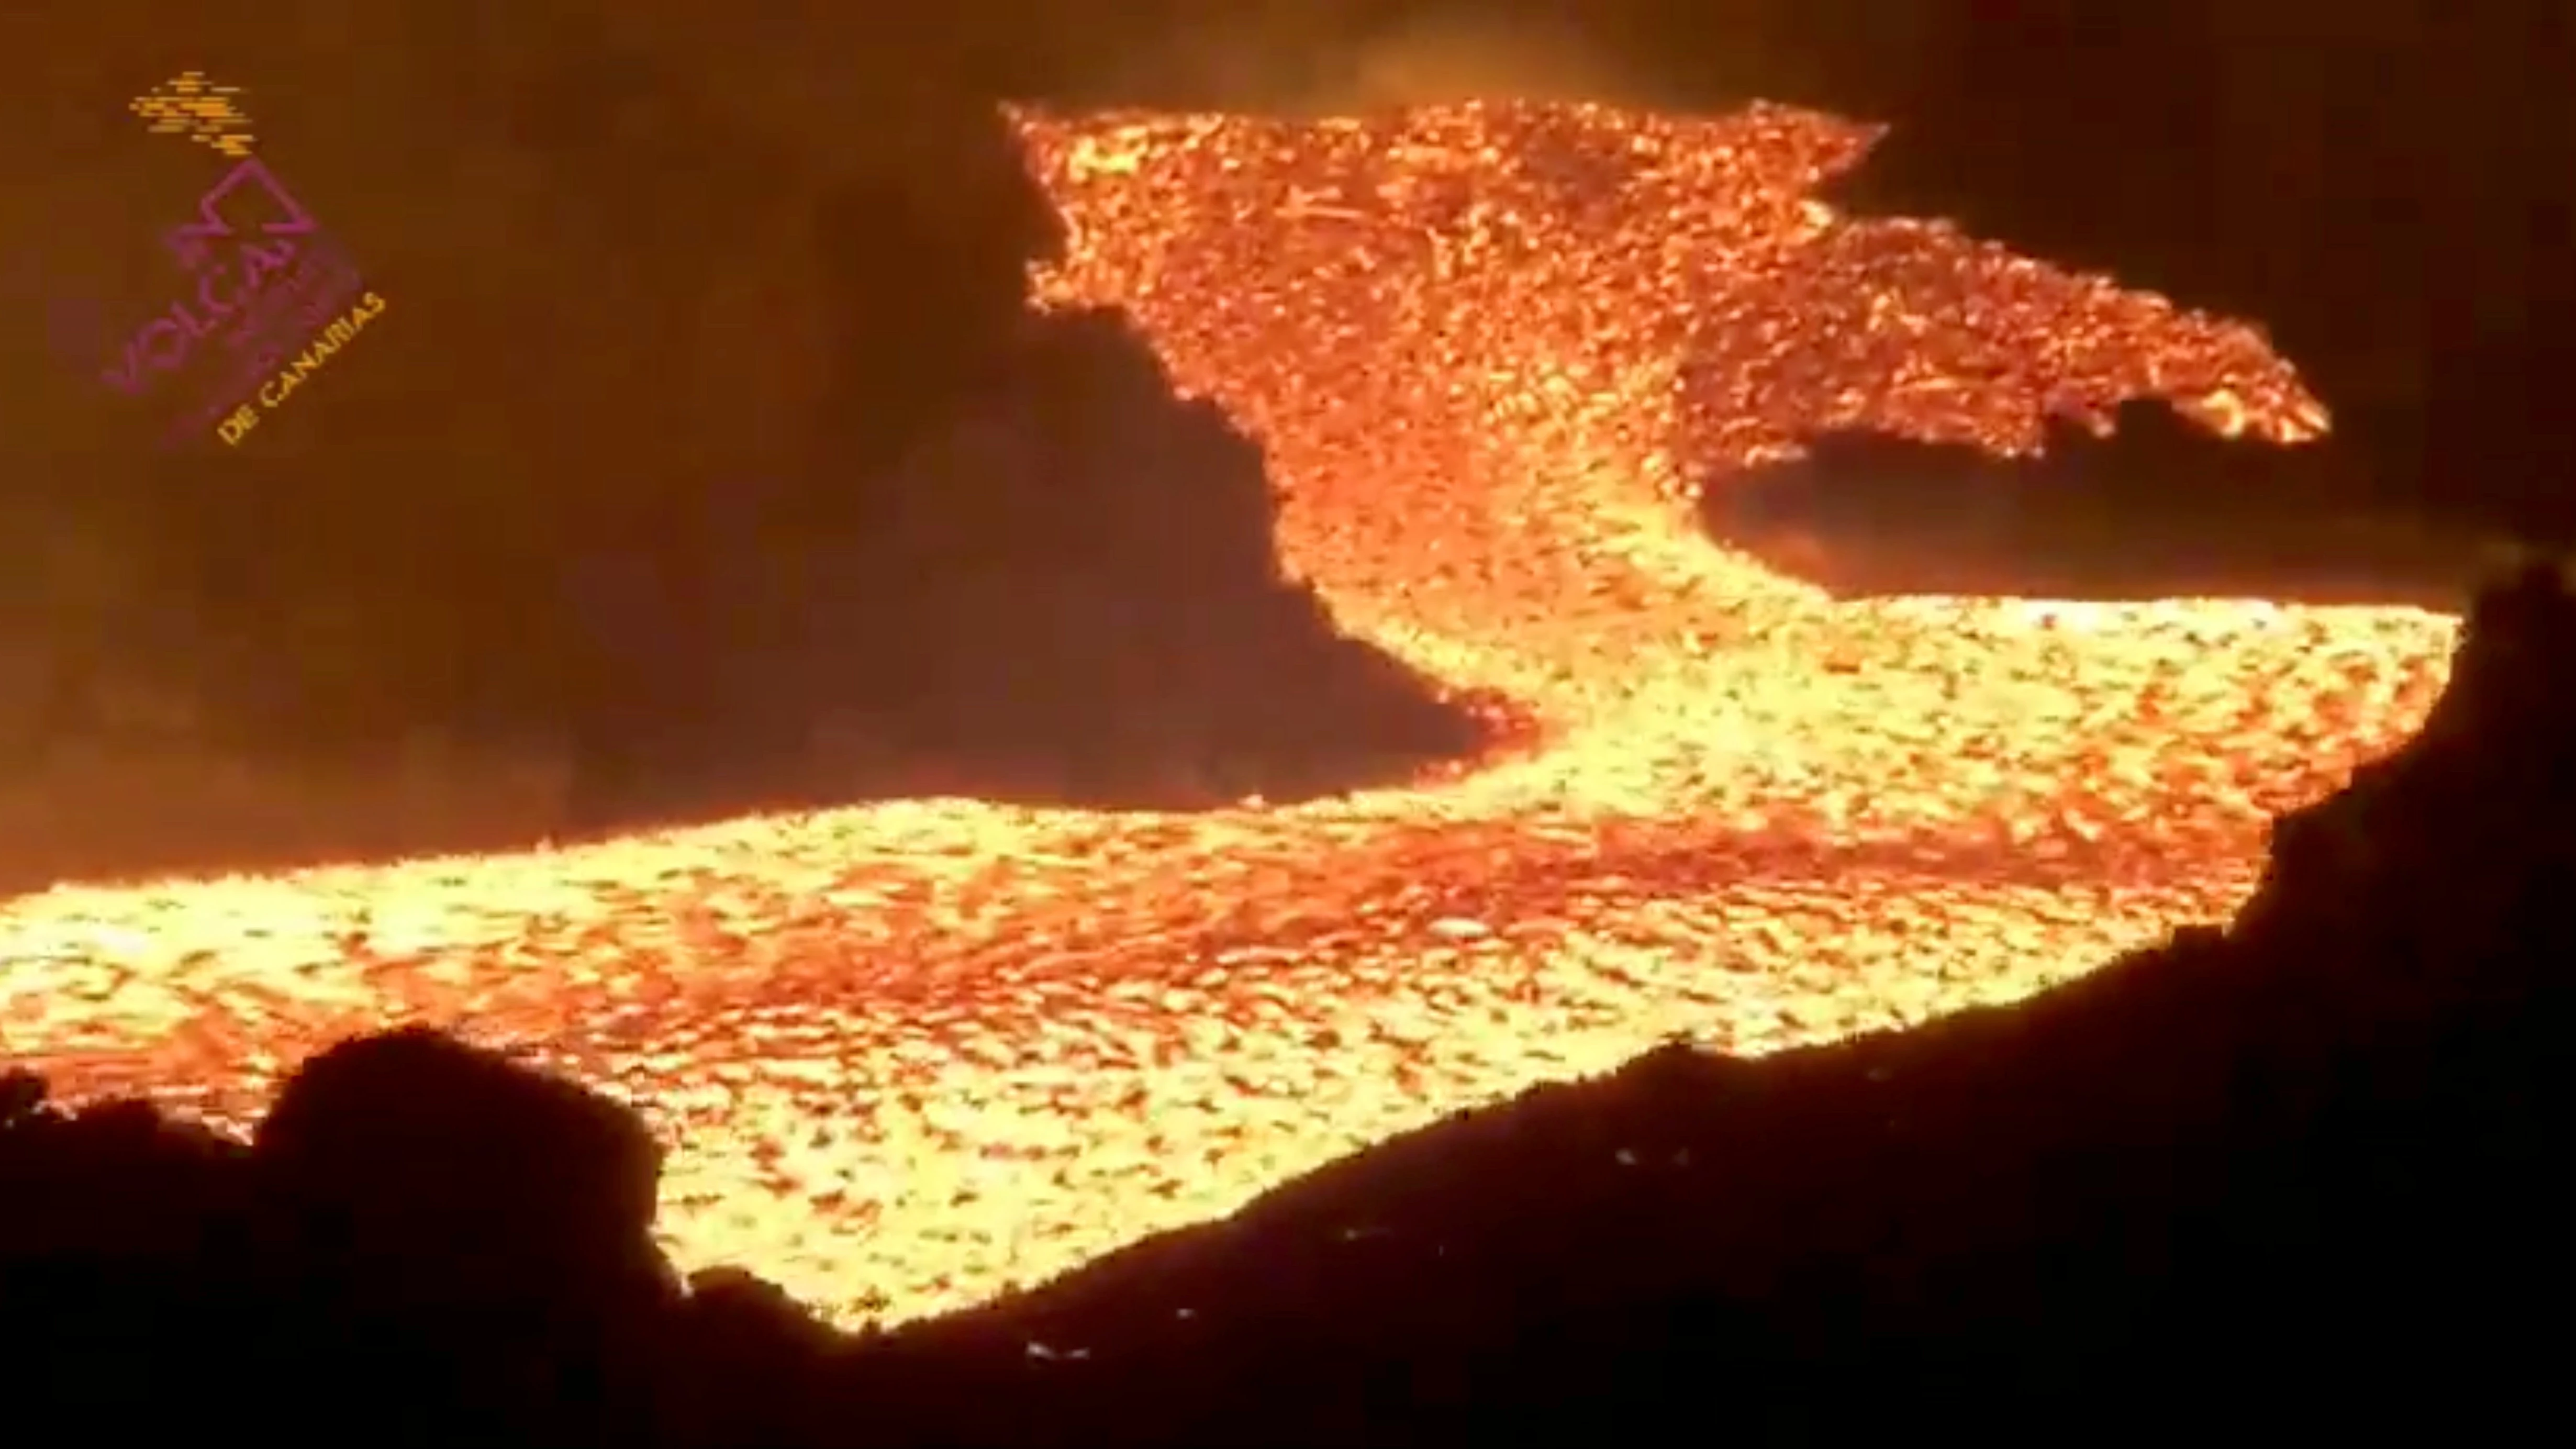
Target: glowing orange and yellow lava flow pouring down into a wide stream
[{"x": 918, "y": 1053}]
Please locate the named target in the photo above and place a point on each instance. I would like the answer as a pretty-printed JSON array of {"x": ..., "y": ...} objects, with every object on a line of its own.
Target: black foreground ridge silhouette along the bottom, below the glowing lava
[{"x": 2302, "y": 1172}]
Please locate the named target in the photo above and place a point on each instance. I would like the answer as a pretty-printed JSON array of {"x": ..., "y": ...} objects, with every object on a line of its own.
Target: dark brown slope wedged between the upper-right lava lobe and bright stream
[{"x": 2155, "y": 509}]
